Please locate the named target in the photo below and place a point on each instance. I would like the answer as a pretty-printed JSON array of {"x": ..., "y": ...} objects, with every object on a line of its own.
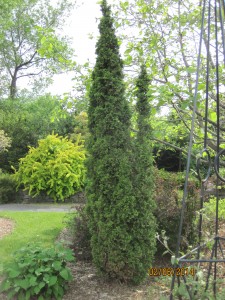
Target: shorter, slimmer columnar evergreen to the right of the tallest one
[{"x": 143, "y": 174}]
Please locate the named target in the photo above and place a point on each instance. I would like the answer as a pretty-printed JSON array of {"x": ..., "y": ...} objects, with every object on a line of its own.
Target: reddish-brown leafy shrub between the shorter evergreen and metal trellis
[{"x": 168, "y": 197}]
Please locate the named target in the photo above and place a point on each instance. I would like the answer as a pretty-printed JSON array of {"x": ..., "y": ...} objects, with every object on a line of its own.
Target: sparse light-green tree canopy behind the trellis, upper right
[{"x": 166, "y": 34}]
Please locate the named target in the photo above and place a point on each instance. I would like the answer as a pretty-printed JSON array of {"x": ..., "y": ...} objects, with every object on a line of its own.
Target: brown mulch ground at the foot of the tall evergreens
[{"x": 88, "y": 285}]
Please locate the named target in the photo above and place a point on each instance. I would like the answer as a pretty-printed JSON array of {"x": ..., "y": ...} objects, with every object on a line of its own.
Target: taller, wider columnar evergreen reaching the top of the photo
[{"x": 114, "y": 214}]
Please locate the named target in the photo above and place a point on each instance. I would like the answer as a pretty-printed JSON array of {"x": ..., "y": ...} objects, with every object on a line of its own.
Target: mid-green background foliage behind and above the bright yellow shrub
[{"x": 26, "y": 121}]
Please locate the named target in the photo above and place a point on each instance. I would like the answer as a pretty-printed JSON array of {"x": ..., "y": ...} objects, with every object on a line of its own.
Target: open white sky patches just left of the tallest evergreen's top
[{"x": 83, "y": 22}]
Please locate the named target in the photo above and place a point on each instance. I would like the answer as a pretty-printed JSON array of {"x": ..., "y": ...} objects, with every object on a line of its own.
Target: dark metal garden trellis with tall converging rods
[{"x": 209, "y": 255}]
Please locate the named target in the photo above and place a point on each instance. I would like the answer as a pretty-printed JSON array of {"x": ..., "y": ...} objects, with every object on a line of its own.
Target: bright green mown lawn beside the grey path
[{"x": 42, "y": 227}]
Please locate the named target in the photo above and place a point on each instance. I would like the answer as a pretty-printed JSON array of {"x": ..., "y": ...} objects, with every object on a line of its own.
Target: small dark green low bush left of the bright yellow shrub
[{"x": 7, "y": 188}]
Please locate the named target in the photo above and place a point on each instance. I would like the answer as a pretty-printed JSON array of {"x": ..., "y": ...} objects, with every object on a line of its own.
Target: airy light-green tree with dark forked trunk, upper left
[{"x": 30, "y": 43}]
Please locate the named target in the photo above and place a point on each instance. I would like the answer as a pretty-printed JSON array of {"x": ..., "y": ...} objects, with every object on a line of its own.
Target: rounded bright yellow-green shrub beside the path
[{"x": 55, "y": 167}]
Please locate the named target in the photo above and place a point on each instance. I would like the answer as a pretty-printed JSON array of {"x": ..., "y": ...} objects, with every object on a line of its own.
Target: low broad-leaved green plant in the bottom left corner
[{"x": 39, "y": 272}]
